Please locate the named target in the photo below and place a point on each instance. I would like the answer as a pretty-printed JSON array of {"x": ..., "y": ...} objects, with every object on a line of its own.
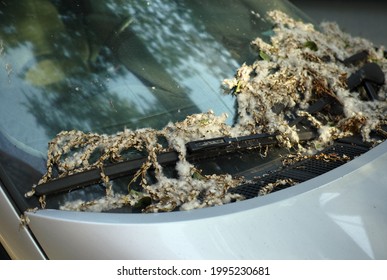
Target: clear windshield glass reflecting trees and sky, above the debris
[{"x": 104, "y": 66}]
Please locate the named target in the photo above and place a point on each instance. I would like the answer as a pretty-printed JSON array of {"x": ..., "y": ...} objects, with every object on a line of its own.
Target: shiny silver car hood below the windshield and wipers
[{"x": 338, "y": 215}]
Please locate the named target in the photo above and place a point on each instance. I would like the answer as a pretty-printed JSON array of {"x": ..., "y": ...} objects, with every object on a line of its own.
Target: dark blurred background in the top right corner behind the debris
[{"x": 366, "y": 19}]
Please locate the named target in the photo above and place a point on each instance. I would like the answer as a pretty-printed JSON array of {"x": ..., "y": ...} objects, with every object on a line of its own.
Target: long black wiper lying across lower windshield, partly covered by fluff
[{"x": 196, "y": 151}]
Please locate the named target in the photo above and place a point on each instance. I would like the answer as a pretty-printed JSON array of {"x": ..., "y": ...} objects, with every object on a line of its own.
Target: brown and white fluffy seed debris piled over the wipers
[{"x": 298, "y": 67}]
